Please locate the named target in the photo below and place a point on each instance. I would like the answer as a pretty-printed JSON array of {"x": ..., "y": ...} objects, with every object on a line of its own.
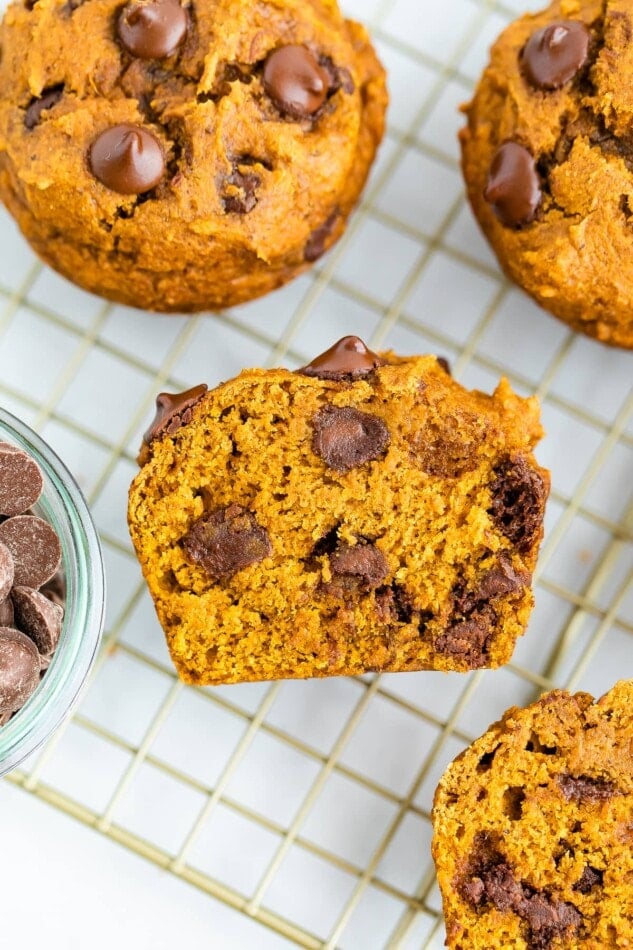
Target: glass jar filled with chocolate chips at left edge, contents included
[{"x": 51, "y": 591}]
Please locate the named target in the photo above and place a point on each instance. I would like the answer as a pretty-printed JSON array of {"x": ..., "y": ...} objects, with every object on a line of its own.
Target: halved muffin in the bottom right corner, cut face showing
[{"x": 533, "y": 828}]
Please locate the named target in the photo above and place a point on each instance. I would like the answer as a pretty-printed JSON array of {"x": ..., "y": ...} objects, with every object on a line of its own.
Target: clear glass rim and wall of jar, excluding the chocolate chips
[{"x": 64, "y": 507}]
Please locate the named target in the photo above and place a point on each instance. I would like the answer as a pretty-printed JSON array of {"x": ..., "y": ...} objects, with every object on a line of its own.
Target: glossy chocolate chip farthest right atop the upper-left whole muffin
[{"x": 295, "y": 81}]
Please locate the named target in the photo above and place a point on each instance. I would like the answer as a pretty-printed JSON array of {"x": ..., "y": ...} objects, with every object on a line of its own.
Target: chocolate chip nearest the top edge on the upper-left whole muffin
[{"x": 152, "y": 30}]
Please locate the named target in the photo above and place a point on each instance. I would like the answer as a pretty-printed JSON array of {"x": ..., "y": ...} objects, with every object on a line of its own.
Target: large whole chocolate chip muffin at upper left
[{"x": 185, "y": 157}]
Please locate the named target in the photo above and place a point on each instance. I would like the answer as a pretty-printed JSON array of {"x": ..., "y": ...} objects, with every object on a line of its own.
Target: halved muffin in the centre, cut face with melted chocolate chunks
[{"x": 363, "y": 513}]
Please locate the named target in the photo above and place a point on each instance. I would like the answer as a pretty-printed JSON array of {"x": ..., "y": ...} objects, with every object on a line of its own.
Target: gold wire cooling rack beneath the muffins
[{"x": 307, "y": 805}]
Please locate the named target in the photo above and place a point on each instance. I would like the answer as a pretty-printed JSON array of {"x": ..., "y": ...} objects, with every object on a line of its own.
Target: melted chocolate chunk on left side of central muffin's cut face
[{"x": 226, "y": 541}]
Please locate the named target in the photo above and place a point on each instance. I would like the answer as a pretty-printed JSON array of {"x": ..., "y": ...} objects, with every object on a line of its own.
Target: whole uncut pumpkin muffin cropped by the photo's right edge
[{"x": 548, "y": 162}]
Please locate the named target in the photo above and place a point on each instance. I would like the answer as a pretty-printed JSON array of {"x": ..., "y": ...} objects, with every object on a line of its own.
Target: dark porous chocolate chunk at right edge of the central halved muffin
[{"x": 518, "y": 502}]
